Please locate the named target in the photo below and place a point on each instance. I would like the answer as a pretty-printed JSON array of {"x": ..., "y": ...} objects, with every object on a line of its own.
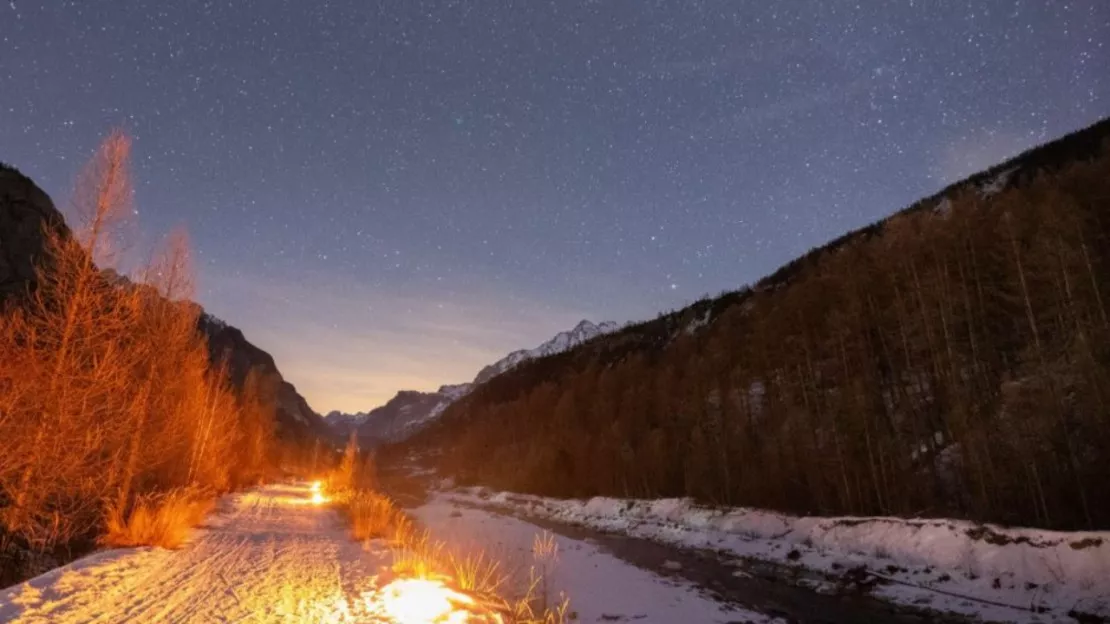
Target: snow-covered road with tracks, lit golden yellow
[{"x": 269, "y": 557}]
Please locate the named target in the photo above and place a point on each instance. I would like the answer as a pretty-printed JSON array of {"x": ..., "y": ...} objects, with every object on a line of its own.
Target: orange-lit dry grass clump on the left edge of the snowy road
[{"x": 157, "y": 520}]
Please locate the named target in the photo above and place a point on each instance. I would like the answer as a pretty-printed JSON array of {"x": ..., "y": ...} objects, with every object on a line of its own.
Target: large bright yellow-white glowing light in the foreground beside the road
[{"x": 421, "y": 601}]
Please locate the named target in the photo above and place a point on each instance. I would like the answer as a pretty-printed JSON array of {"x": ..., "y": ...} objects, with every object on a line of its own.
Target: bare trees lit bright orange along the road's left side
[{"x": 107, "y": 394}]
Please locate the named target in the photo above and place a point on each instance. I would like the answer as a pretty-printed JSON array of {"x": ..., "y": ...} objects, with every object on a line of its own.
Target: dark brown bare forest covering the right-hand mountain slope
[{"x": 951, "y": 361}]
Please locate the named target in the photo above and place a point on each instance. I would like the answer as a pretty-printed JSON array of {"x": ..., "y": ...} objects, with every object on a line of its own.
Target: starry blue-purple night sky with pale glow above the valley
[{"x": 390, "y": 195}]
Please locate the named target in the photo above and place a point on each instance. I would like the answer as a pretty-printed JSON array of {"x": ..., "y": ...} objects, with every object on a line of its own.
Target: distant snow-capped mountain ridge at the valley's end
[{"x": 410, "y": 411}]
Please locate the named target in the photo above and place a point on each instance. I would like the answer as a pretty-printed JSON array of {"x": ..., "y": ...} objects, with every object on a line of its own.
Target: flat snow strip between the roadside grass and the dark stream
[{"x": 600, "y": 587}]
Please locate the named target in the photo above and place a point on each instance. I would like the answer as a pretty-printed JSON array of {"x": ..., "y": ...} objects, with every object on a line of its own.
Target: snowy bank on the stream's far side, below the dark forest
[{"x": 1022, "y": 570}]
